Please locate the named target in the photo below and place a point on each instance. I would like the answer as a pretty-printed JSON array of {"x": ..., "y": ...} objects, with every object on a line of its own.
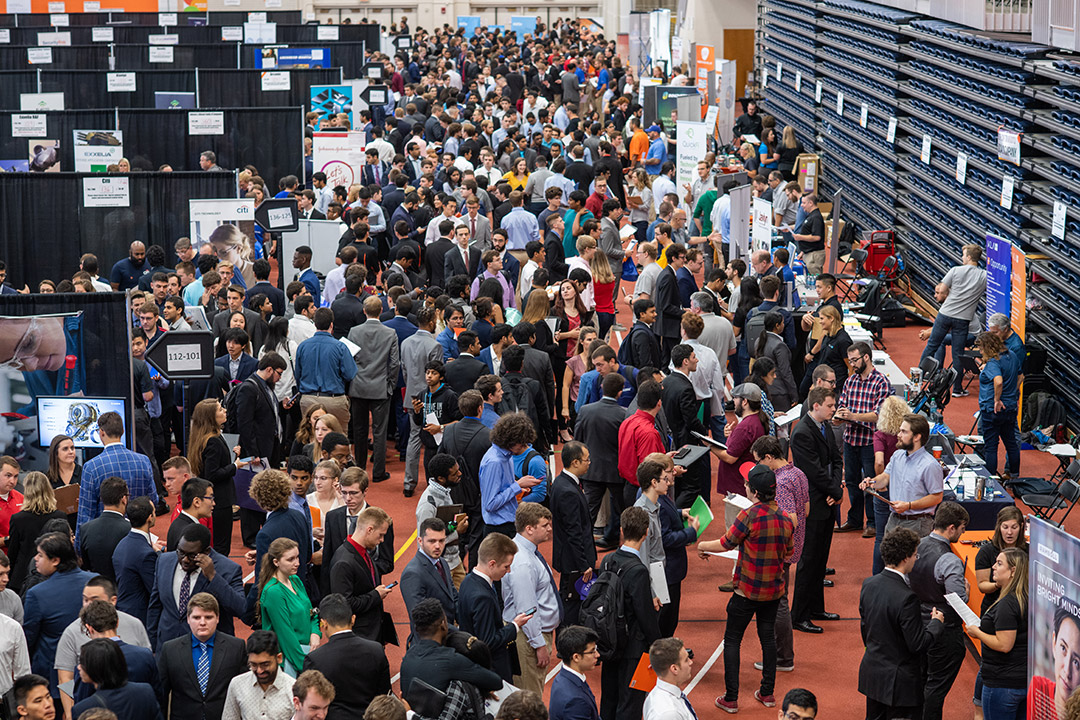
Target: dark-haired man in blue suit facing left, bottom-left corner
[{"x": 53, "y": 604}]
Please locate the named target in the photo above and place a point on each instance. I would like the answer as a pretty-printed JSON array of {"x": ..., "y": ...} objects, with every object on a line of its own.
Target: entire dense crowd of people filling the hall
[{"x": 514, "y": 195}]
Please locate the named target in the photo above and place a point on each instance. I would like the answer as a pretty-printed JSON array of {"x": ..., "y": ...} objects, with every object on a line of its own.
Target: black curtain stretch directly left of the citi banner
[{"x": 45, "y": 228}]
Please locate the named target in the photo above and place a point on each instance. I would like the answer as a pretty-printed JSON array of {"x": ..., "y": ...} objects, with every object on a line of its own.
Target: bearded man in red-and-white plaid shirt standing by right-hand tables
[{"x": 865, "y": 391}]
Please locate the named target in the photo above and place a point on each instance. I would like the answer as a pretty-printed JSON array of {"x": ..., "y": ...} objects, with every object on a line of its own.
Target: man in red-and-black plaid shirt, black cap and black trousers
[{"x": 765, "y": 537}]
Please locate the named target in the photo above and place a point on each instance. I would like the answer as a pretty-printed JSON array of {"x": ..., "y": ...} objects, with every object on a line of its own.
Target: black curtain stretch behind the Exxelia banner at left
[{"x": 156, "y": 138}]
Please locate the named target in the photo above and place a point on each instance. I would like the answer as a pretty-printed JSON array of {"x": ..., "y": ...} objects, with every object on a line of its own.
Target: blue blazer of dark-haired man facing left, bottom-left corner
[{"x": 51, "y": 606}]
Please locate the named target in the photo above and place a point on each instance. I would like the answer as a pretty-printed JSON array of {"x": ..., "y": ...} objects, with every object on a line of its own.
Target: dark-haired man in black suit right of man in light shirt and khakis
[{"x": 573, "y": 554}]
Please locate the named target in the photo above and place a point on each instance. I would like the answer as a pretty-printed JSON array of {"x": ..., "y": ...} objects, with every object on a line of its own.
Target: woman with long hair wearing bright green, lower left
[{"x": 285, "y": 606}]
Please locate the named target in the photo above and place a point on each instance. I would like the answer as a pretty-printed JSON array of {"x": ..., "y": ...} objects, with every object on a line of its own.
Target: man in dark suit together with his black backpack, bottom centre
[{"x": 620, "y": 581}]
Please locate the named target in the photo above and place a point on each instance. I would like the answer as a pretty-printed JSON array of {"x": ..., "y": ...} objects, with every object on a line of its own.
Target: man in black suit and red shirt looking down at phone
[{"x": 356, "y": 576}]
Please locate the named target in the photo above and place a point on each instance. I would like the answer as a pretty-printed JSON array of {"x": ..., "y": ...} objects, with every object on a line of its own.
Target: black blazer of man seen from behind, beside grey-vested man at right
[{"x": 896, "y": 641}]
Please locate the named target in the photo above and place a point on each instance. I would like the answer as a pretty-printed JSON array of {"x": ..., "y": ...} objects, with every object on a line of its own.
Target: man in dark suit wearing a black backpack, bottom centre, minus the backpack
[{"x": 643, "y": 629}]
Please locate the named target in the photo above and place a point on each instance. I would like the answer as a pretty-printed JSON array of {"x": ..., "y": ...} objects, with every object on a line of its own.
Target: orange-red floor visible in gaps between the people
[{"x": 827, "y": 664}]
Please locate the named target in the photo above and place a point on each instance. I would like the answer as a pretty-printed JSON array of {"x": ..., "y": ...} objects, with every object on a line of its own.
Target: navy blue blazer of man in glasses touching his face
[{"x": 164, "y": 618}]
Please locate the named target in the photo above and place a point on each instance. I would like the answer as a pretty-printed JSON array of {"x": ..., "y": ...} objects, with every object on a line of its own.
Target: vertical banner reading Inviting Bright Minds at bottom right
[{"x": 1054, "y": 620}]
